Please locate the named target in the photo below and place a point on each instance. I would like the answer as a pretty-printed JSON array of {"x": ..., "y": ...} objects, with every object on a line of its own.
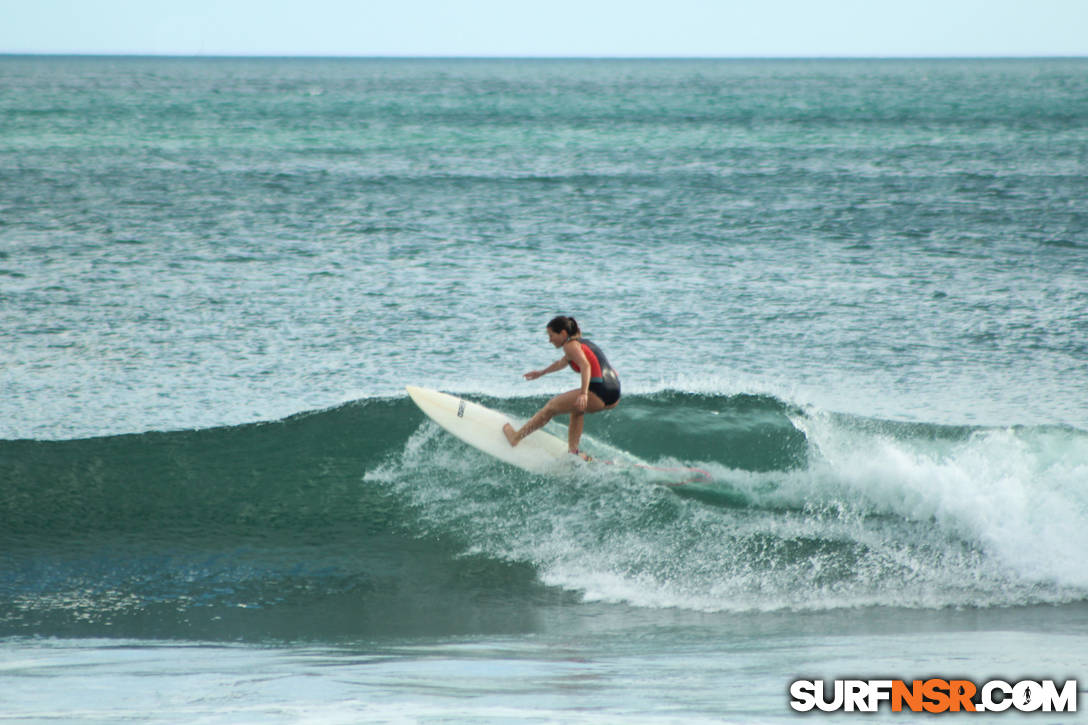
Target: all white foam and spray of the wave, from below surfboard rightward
[{"x": 996, "y": 518}]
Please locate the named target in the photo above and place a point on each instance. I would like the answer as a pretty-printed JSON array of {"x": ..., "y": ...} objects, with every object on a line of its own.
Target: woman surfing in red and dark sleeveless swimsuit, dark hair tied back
[{"x": 600, "y": 389}]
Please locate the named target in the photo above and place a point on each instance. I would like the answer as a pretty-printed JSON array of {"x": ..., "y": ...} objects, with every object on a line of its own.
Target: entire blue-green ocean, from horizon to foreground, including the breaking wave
[{"x": 855, "y": 292}]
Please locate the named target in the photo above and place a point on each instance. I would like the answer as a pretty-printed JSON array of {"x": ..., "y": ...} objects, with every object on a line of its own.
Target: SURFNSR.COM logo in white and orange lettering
[{"x": 933, "y": 696}]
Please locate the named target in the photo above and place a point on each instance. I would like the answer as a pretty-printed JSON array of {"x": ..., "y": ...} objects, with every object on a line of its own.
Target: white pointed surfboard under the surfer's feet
[{"x": 483, "y": 428}]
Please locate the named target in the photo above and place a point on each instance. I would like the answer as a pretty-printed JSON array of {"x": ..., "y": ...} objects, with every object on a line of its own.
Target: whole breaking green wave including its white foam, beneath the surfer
[{"x": 367, "y": 519}]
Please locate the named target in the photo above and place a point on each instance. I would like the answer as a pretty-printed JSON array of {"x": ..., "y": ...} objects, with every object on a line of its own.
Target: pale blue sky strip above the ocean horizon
[{"x": 727, "y": 29}]
